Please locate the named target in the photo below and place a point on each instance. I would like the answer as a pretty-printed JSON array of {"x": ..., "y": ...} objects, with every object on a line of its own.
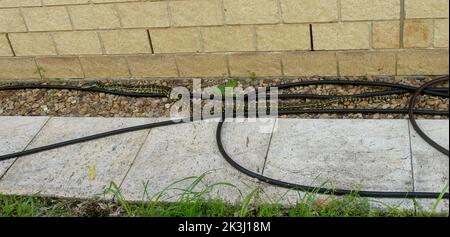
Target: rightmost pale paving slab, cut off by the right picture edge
[{"x": 431, "y": 168}]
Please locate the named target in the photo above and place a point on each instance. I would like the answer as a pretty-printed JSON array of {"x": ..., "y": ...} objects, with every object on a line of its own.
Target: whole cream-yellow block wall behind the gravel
[{"x": 41, "y": 39}]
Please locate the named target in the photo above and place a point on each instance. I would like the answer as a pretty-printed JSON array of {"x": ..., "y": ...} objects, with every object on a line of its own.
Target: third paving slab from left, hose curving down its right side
[{"x": 173, "y": 153}]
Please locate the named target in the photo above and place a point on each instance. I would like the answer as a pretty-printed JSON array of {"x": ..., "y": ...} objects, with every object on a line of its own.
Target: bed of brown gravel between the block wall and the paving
[{"x": 90, "y": 104}]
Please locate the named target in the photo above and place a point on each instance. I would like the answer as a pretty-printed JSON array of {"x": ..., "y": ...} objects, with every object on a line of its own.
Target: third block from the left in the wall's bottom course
[{"x": 105, "y": 67}]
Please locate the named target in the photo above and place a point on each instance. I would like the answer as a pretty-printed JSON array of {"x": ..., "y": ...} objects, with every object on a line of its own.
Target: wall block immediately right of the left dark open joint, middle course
[{"x": 175, "y": 40}]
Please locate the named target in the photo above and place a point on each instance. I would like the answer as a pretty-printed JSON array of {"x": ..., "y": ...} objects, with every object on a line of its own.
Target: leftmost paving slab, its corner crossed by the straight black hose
[{"x": 16, "y": 132}]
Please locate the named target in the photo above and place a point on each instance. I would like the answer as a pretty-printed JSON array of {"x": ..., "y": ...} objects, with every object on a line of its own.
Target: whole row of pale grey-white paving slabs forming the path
[{"x": 356, "y": 154}]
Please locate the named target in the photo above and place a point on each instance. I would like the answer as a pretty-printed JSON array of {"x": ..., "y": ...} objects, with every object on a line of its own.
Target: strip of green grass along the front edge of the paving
[{"x": 191, "y": 197}]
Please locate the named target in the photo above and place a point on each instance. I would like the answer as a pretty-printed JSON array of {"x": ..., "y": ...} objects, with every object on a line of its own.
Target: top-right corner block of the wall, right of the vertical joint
[{"x": 426, "y": 9}]
